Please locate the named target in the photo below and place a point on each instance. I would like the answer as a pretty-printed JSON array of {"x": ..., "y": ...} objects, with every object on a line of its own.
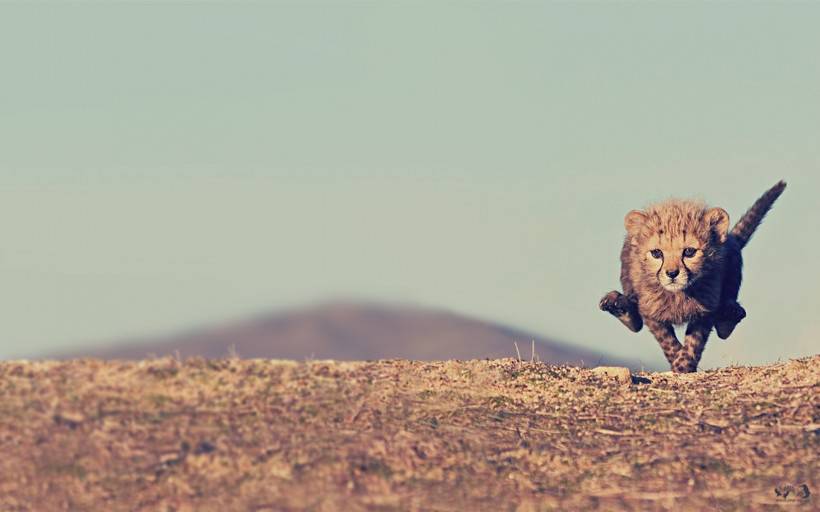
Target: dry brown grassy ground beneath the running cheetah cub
[{"x": 402, "y": 435}]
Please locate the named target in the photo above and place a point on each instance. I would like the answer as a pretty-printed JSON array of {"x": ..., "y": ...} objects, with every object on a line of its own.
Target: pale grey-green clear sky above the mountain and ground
[{"x": 168, "y": 165}]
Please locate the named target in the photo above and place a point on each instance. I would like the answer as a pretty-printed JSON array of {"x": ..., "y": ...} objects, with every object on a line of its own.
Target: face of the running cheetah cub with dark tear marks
[{"x": 677, "y": 243}]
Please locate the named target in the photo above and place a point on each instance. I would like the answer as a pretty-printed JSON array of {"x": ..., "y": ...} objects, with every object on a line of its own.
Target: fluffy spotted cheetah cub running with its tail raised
[{"x": 680, "y": 263}]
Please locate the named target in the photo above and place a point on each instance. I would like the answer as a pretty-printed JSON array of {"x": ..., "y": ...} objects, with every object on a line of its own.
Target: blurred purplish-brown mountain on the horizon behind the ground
[{"x": 354, "y": 331}]
